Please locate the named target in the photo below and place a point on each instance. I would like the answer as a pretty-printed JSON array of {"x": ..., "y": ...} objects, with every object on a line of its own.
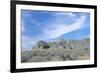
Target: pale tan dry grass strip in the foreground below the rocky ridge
[{"x": 53, "y": 54}]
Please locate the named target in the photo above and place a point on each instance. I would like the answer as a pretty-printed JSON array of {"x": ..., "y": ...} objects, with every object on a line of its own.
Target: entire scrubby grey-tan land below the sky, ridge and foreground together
[{"x": 61, "y": 50}]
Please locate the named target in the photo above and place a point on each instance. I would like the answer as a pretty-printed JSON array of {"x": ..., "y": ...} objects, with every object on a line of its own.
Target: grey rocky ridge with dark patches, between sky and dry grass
[{"x": 67, "y": 44}]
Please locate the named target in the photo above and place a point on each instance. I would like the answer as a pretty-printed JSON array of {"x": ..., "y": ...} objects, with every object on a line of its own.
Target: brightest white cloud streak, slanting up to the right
[{"x": 58, "y": 30}]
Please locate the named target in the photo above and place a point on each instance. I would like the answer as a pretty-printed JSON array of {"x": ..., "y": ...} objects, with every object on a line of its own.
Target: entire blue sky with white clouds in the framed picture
[{"x": 51, "y": 25}]
